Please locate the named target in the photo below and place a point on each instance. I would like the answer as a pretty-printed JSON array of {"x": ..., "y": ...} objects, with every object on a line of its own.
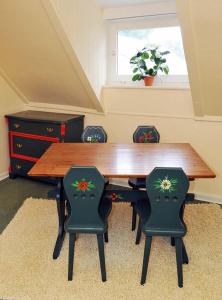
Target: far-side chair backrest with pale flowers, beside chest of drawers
[{"x": 94, "y": 134}]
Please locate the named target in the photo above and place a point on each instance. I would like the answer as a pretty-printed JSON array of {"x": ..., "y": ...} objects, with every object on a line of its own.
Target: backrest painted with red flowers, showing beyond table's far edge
[{"x": 146, "y": 134}]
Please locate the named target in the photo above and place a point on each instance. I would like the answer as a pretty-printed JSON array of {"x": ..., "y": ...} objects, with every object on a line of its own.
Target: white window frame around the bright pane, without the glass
[{"x": 154, "y": 21}]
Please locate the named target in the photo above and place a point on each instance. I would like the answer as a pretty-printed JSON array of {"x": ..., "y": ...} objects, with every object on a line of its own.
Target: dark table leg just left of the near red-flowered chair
[{"x": 61, "y": 217}]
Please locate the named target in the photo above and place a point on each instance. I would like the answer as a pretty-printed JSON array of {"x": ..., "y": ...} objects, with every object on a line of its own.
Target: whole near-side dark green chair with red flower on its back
[{"x": 84, "y": 187}]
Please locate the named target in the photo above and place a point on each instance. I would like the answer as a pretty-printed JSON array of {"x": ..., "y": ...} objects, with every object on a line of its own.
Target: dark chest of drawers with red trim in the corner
[{"x": 32, "y": 132}]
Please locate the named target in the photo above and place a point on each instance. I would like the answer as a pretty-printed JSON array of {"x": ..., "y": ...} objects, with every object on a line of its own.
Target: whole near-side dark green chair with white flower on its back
[{"x": 162, "y": 214}]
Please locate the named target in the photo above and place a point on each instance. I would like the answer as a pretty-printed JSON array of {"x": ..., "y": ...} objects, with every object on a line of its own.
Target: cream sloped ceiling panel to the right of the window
[{"x": 201, "y": 25}]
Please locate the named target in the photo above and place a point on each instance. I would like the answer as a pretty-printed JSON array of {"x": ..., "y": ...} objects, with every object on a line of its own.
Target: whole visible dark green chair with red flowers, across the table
[{"x": 143, "y": 134}]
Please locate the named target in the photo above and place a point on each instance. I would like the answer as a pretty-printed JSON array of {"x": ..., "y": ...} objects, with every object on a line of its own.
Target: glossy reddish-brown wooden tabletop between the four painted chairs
[{"x": 121, "y": 160}]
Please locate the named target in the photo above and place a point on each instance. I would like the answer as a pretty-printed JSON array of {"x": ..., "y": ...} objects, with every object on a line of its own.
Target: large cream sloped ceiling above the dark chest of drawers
[{"x": 38, "y": 60}]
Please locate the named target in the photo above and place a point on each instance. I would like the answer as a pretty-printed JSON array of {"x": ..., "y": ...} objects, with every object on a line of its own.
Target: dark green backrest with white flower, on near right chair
[{"x": 166, "y": 189}]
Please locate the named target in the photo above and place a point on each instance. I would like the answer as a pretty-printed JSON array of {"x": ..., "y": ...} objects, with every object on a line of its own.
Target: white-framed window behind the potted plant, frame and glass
[{"x": 126, "y": 39}]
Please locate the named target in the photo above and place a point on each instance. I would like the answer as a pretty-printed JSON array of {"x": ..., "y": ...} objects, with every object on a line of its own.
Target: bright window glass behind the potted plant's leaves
[{"x": 167, "y": 38}]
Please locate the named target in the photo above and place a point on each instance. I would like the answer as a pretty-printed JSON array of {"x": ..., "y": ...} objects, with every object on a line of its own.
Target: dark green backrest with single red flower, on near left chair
[{"x": 84, "y": 187}]
